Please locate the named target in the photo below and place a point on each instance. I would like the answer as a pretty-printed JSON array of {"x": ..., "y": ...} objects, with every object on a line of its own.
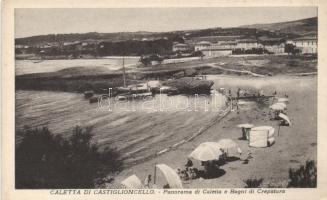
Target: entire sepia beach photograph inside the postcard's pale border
[{"x": 166, "y": 98}]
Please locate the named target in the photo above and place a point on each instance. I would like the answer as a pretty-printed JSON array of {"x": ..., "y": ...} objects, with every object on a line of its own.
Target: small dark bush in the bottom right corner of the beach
[{"x": 303, "y": 177}]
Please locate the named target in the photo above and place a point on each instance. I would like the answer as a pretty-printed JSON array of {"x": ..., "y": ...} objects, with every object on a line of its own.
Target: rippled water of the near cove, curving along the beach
[{"x": 137, "y": 133}]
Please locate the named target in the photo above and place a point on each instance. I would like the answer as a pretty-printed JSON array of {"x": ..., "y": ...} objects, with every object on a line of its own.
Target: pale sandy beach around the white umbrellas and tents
[{"x": 292, "y": 148}]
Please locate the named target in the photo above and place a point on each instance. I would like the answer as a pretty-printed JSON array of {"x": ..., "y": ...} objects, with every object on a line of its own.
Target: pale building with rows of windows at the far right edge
[{"x": 306, "y": 45}]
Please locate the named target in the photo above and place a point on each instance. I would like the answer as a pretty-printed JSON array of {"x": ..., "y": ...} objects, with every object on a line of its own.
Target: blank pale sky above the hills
[{"x": 41, "y": 21}]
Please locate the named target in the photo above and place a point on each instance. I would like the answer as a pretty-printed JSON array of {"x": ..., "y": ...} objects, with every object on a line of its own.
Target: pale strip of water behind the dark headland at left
[{"x": 38, "y": 66}]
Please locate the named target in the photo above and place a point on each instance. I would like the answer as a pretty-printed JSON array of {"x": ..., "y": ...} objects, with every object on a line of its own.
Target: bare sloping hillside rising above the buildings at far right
[{"x": 300, "y": 27}]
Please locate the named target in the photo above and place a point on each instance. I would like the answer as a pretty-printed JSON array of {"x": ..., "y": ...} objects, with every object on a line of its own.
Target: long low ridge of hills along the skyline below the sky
[{"x": 282, "y": 29}]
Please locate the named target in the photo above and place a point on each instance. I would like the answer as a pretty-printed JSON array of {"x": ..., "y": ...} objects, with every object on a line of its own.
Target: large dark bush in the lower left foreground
[{"x": 47, "y": 161}]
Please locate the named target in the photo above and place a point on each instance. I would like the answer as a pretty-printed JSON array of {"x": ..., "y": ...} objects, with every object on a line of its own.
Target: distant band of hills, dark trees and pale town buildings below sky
[{"x": 280, "y": 38}]
